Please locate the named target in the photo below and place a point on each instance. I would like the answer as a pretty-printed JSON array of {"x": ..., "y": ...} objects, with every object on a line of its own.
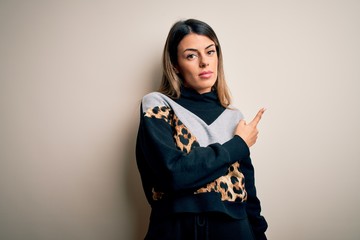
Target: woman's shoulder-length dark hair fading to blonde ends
[{"x": 171, "y": 81}]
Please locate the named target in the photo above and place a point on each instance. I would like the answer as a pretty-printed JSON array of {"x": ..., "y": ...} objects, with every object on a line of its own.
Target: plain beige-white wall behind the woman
[{"x": 72, "y": 75}]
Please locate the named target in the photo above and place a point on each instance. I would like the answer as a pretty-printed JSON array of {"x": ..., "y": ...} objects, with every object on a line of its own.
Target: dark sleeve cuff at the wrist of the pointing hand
[{"x": 237, "y": 149}]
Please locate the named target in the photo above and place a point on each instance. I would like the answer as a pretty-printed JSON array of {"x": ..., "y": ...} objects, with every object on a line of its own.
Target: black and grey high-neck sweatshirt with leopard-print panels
[{"x": 191, "y": 162}]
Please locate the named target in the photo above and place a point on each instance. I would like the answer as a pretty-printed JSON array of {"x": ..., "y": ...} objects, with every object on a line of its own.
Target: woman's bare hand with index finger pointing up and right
[{"x": 249, "y": 132}]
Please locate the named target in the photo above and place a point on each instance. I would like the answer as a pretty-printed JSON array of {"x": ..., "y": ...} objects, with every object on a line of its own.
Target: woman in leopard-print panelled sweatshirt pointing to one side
[{"x": 193, "y": 147}]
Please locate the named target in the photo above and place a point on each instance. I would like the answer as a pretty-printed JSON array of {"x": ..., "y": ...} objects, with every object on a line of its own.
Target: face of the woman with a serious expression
[{"x": 197, "y": 62}]
